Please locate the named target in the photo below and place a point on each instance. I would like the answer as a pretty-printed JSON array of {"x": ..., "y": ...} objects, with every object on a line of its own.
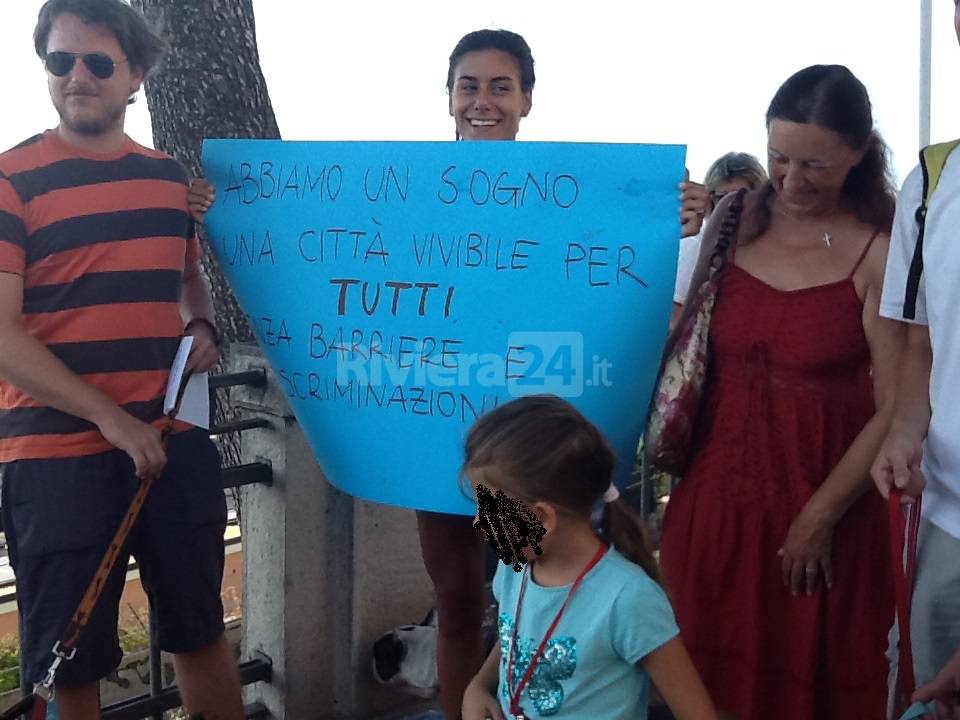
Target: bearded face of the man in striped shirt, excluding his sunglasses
[{"x": 87, "y": 104}]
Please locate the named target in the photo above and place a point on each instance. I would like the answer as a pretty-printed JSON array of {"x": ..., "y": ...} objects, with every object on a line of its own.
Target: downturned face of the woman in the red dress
[{"x": 808, "y": 165}]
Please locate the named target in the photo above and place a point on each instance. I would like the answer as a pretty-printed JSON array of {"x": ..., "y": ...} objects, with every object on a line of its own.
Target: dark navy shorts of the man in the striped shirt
[{"x": 60, "y": 515}]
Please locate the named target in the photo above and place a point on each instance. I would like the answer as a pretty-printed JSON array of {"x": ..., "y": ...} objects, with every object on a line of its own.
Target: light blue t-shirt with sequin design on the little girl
[{"x": 589, "y": 668}]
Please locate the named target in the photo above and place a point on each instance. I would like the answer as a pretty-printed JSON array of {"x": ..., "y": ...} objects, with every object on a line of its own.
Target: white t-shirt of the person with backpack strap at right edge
[{"x": 938, "y": 303}]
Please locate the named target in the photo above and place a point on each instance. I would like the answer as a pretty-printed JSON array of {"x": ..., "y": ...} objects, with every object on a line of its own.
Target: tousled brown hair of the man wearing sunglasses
[{"x": 140, "y": 44}]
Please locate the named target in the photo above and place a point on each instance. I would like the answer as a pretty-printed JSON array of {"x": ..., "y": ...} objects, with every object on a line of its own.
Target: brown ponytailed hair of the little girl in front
[{"x": 541, "y": 448}]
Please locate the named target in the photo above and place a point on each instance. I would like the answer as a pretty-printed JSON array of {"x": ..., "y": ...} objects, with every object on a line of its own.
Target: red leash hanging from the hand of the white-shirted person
[{"x": 903, "y": 550}]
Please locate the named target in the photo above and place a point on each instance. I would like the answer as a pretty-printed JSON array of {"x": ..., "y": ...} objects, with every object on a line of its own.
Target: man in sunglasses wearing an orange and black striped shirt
[{"x": 99, "y": 279}]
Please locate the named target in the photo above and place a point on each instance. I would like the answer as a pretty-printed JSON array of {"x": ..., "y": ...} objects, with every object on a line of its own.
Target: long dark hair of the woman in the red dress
[{"x": 831, "y": 97}]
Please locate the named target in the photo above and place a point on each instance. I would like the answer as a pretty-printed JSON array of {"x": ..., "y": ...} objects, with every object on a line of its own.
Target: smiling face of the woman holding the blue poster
[{"x": 487, "y": 99}]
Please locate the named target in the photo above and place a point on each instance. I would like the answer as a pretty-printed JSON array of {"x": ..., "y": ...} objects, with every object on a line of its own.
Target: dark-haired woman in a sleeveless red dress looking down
[{"x": 775, "y": 553}]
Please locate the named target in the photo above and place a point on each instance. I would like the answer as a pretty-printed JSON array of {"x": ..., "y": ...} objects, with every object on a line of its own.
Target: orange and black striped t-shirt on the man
[{"x": 101, "y": 243}]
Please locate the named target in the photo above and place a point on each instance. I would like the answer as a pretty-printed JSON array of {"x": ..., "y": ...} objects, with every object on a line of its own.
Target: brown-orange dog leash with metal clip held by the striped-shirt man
[{"x": 65, "y": 648}]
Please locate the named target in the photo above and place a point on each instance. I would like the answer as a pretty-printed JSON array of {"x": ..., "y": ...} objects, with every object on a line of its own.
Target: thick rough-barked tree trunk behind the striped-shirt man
[{"x": 209, "y": 85}]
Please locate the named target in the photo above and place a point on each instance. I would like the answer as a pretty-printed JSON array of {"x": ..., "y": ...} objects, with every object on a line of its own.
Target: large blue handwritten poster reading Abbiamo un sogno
[{"x": 401, "y": 289}]
